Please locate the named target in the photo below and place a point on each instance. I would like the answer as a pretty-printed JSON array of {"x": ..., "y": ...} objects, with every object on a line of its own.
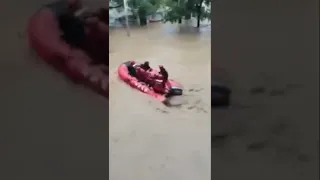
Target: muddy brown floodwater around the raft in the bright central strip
[{"x": 147, "y": 139}]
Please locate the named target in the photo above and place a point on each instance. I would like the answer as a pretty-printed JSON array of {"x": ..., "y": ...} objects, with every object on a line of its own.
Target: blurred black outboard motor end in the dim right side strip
[{"x": 220, "y": 96}]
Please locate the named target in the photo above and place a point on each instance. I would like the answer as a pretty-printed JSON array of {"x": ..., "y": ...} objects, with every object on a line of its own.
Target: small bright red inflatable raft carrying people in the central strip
[{"x": 172, "y": 88}]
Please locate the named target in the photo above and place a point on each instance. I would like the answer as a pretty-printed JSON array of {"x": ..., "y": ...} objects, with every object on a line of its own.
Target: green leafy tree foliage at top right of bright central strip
[{"x": 185, "y": 9}]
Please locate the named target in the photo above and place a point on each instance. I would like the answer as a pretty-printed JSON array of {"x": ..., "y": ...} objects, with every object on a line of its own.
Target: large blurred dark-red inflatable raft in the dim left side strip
[{"x": 44, "y": 37}]
